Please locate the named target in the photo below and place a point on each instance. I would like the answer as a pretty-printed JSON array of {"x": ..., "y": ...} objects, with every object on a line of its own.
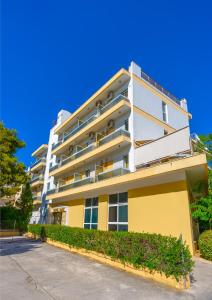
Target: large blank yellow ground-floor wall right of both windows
[{"x": 161, "y": 209}]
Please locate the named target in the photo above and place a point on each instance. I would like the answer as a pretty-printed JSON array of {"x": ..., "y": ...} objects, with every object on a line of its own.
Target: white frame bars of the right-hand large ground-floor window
[{"x": 118, "y": 204}]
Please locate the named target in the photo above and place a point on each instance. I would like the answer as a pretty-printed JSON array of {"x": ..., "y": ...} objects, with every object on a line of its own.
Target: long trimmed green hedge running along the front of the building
[{"x": 164, "y": 254}]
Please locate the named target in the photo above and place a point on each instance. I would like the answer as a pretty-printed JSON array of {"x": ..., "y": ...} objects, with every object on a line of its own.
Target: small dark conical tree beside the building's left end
[{"x": 25, "y": 204}]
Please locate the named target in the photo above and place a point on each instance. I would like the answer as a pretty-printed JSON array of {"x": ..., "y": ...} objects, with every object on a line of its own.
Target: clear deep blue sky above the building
[{"x": 55, "y": 54}]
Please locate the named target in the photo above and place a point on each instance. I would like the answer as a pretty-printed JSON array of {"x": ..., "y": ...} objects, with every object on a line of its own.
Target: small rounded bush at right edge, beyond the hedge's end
[{"x": 205, "y": 244}]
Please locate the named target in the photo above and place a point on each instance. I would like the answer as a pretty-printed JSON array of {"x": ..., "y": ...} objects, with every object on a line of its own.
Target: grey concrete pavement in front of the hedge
[{"x": 33, "y": 270}]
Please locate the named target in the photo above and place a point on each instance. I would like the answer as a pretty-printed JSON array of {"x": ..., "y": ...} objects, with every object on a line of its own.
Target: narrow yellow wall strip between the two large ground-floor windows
[{"x": 103, "y": 212}]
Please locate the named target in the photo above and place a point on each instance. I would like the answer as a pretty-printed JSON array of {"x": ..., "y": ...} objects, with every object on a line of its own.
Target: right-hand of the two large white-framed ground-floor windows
[{"x": 118, "y": 212}]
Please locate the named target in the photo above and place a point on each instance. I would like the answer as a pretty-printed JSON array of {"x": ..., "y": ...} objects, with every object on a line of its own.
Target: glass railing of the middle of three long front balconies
[{"x": 93, "y": 146}]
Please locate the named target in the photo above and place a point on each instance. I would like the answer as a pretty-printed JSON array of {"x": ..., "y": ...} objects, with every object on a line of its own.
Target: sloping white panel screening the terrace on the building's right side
[{"x": 172, "y": 145}]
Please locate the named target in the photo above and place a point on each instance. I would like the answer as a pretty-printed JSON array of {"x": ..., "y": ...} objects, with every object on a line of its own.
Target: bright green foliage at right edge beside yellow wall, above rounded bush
[{"x": 202, "y": 208}]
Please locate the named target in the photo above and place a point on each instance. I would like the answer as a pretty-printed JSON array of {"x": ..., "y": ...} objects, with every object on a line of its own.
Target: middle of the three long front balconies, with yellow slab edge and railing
[{"x": 104, "y": 145}]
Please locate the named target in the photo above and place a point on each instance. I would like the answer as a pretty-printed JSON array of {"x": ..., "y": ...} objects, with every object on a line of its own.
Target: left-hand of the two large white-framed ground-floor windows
[{"x": 91, "y": 213}]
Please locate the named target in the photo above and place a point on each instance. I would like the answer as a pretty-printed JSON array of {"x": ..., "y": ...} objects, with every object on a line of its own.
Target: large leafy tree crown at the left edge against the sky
[{"x": 12, "y": 172}]
